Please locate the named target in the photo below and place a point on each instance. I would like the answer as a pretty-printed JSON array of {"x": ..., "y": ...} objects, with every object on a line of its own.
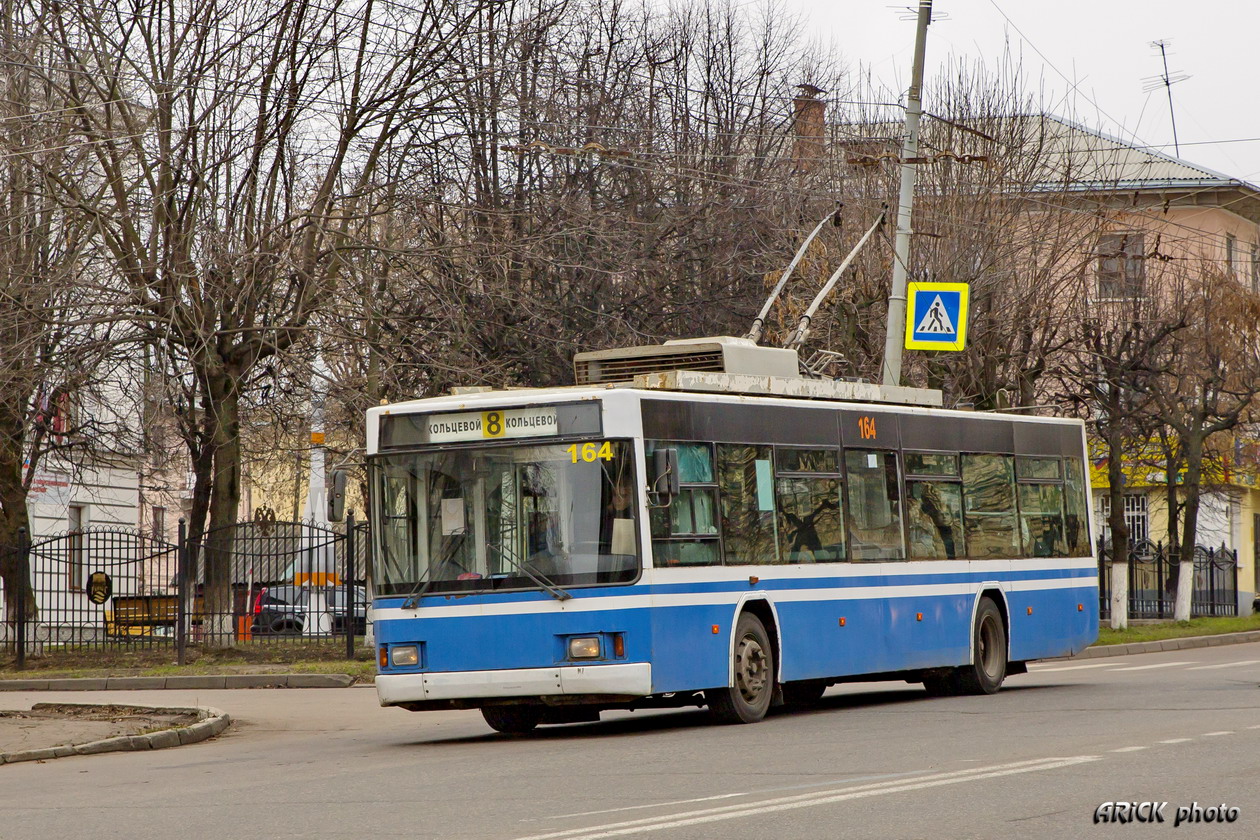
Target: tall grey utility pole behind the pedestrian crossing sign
[{"x": 895, "y": 336}]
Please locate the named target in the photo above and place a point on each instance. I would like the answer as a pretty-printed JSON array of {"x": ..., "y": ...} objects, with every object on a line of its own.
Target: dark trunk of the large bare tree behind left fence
[{"x": 224, "y": 423}]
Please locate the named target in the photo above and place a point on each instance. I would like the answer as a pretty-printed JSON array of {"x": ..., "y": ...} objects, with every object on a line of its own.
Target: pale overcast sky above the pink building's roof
[{"x": 1103, "y": 46}]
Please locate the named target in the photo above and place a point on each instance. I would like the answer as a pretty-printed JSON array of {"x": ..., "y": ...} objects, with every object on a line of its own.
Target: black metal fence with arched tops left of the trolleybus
[{"x": 119, "y": 589}]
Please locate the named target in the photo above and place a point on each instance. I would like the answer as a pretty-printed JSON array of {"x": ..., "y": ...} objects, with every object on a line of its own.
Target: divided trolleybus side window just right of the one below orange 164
[{"x": 934, "y": 507}]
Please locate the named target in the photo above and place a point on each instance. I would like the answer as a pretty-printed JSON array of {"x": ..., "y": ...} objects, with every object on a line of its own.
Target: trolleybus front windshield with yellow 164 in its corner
[{"x": 498, "y": 518}]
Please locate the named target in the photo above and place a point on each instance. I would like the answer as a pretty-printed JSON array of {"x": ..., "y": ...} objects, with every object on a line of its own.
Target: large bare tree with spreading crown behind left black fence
[{"x": 235, "y": 145}]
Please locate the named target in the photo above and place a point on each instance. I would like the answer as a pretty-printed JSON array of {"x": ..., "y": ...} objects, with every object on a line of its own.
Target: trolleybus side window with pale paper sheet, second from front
[{"x": 748, "y": 498}]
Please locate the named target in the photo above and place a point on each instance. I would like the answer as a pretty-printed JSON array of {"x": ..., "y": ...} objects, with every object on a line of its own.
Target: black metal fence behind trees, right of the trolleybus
[{"x": 1154, "y": 581}]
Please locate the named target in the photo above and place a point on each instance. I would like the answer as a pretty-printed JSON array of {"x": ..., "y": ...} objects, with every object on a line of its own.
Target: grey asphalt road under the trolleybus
[{"x": 871, "y": 761}]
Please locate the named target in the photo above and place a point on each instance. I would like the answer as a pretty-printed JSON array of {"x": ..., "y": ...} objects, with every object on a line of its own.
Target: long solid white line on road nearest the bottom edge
[{"x": 808, "y": 800}]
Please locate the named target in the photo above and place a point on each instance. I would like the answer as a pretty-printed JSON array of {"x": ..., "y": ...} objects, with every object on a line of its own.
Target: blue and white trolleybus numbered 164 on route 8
[{"x": 697, "y": 526}]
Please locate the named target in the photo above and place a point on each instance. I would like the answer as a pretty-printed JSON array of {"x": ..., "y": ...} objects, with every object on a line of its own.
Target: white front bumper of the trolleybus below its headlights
[{"x": 622, "y": 681}]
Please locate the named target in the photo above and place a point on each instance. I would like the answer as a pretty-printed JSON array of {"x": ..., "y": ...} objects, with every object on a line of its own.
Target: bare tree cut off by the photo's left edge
[{"x": 57, "y": 327}]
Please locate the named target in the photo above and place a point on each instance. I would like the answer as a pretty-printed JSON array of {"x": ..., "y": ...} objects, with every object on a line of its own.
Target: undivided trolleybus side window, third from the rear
[{"x": 990, "y": 506}]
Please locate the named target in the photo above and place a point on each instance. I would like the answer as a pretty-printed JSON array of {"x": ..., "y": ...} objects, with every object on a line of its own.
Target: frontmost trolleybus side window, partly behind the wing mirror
[{"x": 686, "y": 532}]
